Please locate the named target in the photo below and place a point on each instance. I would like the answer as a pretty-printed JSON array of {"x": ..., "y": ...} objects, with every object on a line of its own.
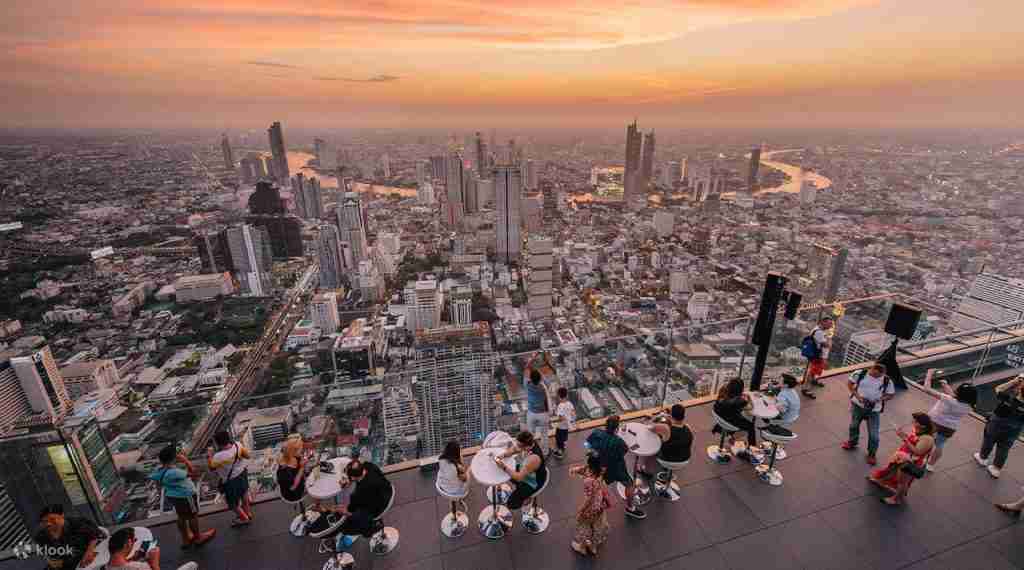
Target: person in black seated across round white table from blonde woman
[{"x": 370, "y": 499}]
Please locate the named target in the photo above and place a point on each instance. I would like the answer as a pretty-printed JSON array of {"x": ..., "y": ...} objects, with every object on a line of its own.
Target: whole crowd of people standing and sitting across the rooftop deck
[{"x": 369, "y": 493}]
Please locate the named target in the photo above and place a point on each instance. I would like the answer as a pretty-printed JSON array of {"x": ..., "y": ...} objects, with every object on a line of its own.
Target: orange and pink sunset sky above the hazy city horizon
[{"x": 459, "y": 63}]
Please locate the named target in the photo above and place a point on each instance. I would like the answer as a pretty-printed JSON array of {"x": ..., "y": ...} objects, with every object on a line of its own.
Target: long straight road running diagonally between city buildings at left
[{"x": 258, "y": 359}]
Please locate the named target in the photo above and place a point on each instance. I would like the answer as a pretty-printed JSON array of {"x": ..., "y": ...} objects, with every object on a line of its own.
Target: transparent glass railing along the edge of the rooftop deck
[{"x": 397, "y": 407}]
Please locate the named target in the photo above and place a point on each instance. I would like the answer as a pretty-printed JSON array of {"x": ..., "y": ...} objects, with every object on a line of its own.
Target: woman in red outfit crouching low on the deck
[{"x": 908, "y": 464}]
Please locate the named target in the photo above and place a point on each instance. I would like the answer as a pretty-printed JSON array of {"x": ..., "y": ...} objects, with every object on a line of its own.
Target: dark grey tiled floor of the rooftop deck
[{"x": 826, "y": 516}]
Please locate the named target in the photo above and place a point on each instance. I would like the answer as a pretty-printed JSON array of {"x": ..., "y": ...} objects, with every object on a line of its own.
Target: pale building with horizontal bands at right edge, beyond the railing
[{"x": 992, "y": 300}]
